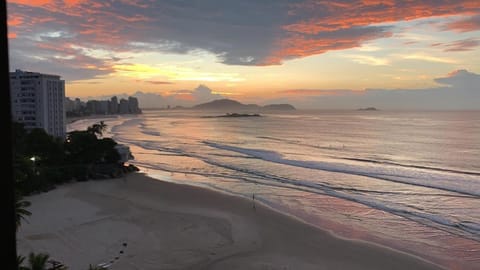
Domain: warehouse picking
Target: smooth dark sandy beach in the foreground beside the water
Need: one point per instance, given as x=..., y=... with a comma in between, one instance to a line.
x=172, y=226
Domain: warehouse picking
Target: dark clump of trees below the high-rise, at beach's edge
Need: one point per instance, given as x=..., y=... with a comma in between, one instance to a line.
x=42, y=161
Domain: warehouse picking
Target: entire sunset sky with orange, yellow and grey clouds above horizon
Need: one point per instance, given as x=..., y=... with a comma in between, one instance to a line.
x=310, y=53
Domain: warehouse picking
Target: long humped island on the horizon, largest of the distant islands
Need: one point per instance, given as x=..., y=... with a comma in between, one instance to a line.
x=229, y=104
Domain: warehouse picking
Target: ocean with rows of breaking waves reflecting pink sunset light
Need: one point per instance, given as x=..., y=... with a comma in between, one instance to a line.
x=406, y=180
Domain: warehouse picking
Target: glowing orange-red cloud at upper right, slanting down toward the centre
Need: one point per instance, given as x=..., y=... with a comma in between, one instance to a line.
x=338, y=25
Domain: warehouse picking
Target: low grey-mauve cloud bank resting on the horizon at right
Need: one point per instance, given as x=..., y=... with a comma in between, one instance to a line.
x=459, y=90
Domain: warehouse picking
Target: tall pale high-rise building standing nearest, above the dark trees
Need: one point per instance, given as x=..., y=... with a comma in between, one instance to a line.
x=38, y=101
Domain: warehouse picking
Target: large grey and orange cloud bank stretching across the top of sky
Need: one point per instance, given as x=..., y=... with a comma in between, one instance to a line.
x=247, y=32
